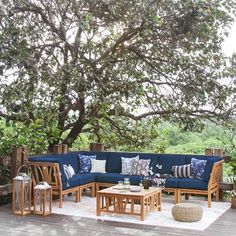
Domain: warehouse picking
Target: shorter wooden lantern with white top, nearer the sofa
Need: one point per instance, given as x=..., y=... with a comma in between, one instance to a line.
x=42, y=200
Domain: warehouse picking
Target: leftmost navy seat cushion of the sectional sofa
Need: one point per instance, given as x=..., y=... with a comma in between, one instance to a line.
x=79, y=179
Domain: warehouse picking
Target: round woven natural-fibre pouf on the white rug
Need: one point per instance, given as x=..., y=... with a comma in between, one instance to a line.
x=187, y=212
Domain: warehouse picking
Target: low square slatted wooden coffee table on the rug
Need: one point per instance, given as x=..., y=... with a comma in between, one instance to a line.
x=114, y=200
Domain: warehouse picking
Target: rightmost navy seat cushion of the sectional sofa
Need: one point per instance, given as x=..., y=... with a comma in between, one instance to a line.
x=192, y=184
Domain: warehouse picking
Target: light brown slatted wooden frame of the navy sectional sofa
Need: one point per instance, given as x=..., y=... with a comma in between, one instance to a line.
x=50, y=172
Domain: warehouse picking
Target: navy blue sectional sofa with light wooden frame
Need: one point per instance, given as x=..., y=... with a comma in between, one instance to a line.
x=50, y=168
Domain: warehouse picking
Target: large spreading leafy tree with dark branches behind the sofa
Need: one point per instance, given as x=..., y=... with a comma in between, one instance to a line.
x=71, y=63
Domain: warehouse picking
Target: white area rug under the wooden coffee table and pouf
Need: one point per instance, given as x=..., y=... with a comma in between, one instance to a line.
x=87, y=208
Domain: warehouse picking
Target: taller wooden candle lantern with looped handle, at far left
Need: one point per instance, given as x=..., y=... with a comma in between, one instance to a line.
x=21, y=191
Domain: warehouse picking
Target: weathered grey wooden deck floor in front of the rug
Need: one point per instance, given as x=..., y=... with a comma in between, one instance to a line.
x=65, y=225
